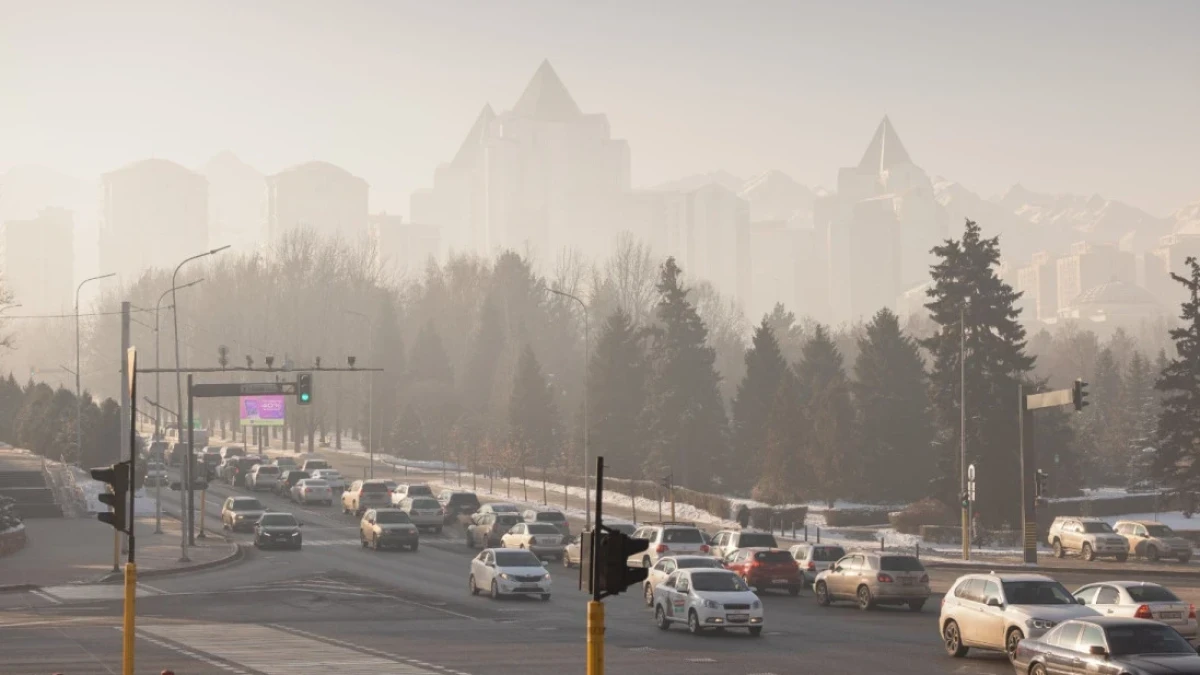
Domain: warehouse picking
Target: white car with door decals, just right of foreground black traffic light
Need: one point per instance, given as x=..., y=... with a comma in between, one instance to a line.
x=707, y=599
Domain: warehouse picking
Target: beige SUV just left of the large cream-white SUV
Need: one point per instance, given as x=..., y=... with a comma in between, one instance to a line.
x=873, y=580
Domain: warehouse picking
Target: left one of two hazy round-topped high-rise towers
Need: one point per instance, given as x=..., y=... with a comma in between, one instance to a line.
x=155, y=214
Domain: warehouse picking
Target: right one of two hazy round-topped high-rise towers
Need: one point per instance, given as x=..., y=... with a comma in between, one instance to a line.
x=317, y=196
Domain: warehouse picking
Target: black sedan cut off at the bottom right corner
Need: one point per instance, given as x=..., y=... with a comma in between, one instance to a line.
x=1108, y=646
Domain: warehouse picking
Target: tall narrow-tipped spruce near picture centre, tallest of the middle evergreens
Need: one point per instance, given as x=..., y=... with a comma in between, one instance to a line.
x=686, y=417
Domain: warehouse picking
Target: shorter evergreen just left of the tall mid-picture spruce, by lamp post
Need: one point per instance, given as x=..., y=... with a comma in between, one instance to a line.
x=617, y=396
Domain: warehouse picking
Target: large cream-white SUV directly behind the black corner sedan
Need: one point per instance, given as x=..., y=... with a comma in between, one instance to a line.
x=997, y=612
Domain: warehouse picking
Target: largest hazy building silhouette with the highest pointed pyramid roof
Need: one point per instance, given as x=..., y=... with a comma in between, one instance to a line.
x=542, y=176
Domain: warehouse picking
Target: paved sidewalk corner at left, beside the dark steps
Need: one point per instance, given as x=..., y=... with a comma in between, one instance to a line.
x=81, y=549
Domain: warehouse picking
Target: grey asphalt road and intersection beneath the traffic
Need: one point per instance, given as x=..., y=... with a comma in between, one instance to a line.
x=335, y=607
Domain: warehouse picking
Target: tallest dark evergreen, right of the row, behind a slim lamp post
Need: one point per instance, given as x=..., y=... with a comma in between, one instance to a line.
x=965, y=288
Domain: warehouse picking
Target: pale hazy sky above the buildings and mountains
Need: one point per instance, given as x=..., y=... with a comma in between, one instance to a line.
x=1089, y=97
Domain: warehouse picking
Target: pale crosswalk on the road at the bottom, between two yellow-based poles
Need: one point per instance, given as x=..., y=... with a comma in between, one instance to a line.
x=275, y=652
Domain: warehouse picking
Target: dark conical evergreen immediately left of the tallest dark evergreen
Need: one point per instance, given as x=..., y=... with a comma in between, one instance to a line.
x=895, y=419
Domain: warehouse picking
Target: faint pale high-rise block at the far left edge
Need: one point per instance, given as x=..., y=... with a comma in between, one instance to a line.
x=40, y=262
